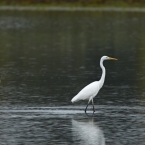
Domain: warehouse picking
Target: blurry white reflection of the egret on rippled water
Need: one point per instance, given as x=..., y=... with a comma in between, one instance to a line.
x=86, y=132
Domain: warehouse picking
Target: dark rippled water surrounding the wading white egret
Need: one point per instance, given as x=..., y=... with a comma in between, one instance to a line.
x=48, y=57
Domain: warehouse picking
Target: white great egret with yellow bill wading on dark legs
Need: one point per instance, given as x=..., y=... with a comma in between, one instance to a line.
x=91, y=90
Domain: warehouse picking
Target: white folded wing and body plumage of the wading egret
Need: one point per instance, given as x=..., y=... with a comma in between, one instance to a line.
x=90, y=90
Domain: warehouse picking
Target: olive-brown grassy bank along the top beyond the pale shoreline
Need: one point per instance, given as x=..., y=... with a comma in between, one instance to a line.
x=75, y=3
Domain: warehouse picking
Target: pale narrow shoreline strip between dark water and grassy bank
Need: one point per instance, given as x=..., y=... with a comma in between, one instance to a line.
x=67, y=8
